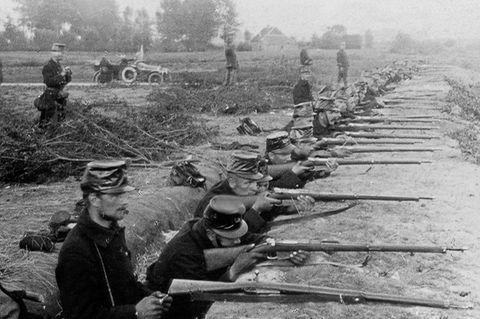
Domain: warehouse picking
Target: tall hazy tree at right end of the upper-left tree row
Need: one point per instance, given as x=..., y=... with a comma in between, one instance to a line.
x=188, y=23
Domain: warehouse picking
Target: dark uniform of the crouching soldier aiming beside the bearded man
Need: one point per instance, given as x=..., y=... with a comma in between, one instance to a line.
x=183, y=258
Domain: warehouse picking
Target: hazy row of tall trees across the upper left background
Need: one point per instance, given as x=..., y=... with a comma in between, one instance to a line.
x=179, y=25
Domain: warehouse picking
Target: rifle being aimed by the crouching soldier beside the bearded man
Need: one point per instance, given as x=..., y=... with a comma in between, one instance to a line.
x=217, y=258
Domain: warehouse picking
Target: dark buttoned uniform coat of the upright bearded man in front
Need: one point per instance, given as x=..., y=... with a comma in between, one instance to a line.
x=80, y=278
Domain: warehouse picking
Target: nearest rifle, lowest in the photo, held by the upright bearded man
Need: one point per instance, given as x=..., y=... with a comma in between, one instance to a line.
x=290, y=293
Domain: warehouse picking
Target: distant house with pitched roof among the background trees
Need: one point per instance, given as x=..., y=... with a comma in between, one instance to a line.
x=272, y=39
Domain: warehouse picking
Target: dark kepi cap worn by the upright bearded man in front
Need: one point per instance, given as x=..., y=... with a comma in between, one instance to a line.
x=106, y=177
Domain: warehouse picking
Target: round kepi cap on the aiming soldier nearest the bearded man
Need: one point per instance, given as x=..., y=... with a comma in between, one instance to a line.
x=224, y=216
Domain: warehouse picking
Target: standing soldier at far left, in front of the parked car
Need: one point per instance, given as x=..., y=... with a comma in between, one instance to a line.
x=55, y=77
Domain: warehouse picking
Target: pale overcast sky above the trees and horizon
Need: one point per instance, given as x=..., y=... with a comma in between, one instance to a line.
x=301, y=18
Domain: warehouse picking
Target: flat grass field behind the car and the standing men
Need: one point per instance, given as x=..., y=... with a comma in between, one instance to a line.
x=26, y=66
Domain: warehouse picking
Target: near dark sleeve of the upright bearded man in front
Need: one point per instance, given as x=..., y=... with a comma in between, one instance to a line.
x=80, y=290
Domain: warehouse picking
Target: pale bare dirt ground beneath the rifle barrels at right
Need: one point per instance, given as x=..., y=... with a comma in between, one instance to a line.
x=450, y=219
